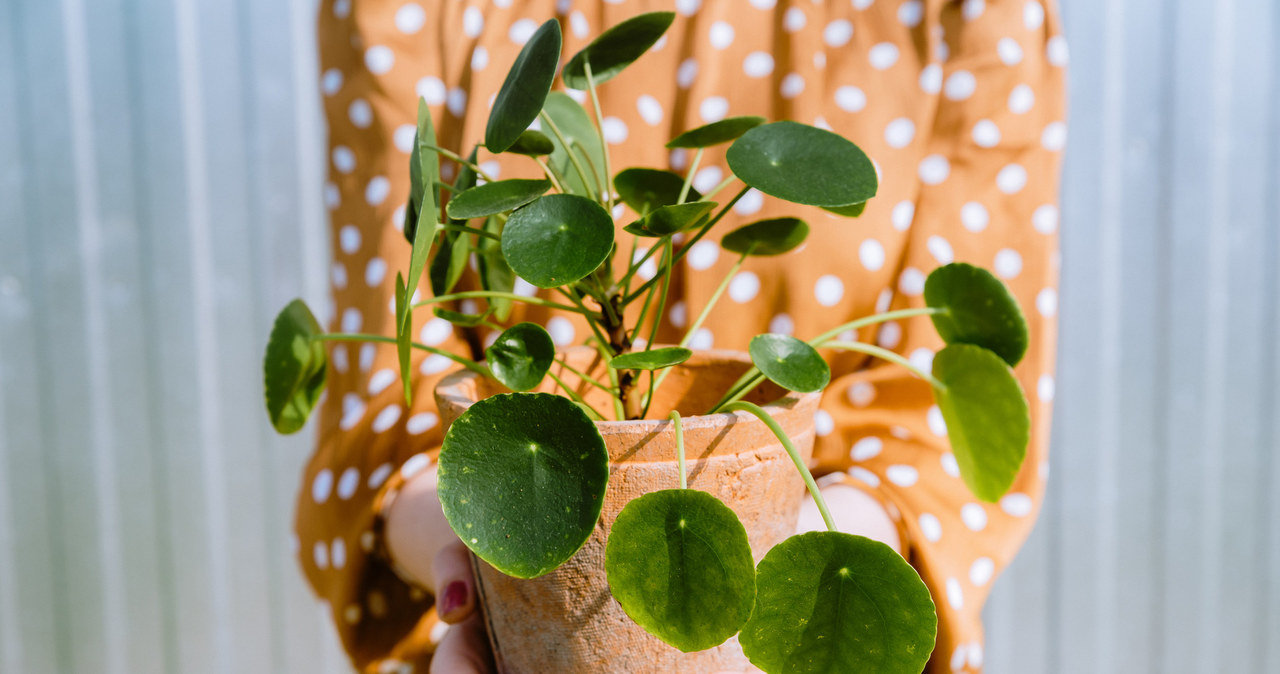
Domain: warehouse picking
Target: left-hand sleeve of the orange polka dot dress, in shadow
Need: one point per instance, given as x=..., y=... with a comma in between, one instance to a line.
x=369, y=442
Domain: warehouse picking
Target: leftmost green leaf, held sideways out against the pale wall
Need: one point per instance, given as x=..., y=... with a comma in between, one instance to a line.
x=294, y=368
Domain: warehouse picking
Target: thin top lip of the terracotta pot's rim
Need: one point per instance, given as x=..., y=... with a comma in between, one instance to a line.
x=454, y=388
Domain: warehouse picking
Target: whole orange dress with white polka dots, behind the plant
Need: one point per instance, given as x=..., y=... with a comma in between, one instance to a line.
x=959, y=104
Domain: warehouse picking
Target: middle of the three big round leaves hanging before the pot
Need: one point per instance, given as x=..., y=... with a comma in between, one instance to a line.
x=680, y=565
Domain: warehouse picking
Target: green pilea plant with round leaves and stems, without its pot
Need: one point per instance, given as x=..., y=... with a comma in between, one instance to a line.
x=523, y=475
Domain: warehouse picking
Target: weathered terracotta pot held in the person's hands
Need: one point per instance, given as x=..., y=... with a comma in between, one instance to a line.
x=568, y=621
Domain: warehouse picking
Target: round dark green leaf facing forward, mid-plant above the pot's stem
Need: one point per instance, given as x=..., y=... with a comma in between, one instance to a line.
x=557, y=240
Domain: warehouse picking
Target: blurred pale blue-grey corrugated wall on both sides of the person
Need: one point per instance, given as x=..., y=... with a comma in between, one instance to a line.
x=162, y=166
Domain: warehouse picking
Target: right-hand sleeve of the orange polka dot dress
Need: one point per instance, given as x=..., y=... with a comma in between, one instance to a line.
x=989, y=198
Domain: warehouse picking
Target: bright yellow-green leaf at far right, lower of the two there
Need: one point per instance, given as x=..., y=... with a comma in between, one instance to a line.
x=988, y=419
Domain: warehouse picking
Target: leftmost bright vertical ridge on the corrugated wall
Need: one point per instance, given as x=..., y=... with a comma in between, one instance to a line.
x=103, y=432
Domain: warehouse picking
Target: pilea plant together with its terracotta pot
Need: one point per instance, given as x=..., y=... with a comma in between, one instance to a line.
x=569, y=474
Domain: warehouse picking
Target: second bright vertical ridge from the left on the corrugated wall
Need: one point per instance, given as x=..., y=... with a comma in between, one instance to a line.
x=204, y=310
